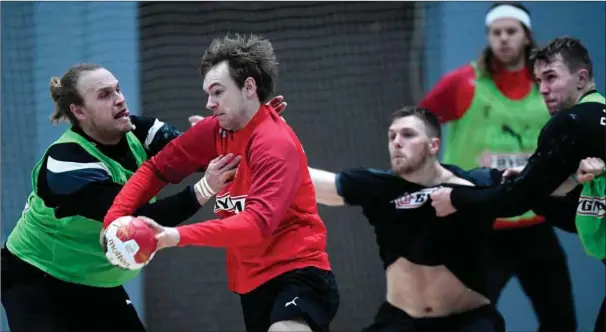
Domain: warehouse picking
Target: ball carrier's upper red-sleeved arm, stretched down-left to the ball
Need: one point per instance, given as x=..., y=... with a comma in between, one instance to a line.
x=178, y=159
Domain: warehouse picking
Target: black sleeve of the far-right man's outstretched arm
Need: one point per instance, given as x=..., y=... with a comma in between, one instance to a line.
x=559, y=152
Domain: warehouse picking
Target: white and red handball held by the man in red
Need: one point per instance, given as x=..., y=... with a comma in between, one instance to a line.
x=130, y=243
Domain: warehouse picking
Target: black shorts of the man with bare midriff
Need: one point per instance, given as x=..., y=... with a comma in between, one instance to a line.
x=392, y=319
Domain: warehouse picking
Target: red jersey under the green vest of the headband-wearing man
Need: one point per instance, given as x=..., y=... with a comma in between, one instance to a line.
x=452, y=97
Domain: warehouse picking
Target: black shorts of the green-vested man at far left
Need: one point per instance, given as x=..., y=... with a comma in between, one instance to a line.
x=36, y=301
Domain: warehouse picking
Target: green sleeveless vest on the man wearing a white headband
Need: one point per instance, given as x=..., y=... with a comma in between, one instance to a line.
x=496, y=131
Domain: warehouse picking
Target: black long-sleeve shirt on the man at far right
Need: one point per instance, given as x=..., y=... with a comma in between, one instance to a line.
x=569, y=137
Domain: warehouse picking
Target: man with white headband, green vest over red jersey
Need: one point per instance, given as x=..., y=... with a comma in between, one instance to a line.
x=495, y=114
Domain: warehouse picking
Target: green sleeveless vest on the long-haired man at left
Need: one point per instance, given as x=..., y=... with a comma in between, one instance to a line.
x=68, y=248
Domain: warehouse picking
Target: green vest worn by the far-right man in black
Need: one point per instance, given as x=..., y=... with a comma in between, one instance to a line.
x=591, y=211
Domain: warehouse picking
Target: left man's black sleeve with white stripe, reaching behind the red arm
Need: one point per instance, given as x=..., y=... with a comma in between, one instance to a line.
x=75, y=183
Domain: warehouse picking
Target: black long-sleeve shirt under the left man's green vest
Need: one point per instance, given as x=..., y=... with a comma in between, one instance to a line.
x=71, y=181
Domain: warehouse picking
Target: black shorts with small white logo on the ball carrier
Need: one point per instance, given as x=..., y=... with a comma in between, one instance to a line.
x=307, y=294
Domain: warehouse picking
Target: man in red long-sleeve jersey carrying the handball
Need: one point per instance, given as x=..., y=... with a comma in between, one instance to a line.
x=268, y=218
